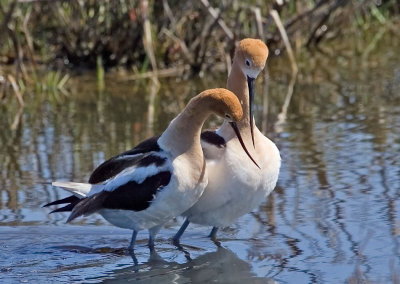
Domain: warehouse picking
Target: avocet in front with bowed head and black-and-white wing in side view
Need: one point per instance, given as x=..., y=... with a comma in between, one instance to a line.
x=158, y=179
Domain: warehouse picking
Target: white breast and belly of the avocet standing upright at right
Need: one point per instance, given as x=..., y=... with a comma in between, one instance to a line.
x=236, y=186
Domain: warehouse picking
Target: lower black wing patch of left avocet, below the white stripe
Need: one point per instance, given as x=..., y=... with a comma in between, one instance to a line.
x=130, y=196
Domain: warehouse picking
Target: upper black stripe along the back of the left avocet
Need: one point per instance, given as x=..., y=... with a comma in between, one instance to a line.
x=116, y=164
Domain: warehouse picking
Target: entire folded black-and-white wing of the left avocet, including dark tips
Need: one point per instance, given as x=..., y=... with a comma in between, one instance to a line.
x=128, y=181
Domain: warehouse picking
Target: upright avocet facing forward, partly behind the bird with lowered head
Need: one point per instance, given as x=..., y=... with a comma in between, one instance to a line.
x=226, y=199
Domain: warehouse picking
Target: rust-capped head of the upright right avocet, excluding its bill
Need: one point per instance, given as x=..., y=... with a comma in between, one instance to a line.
x=251, y=55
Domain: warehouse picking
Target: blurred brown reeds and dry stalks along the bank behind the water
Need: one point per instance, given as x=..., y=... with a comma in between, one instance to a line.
x=43, y=43
